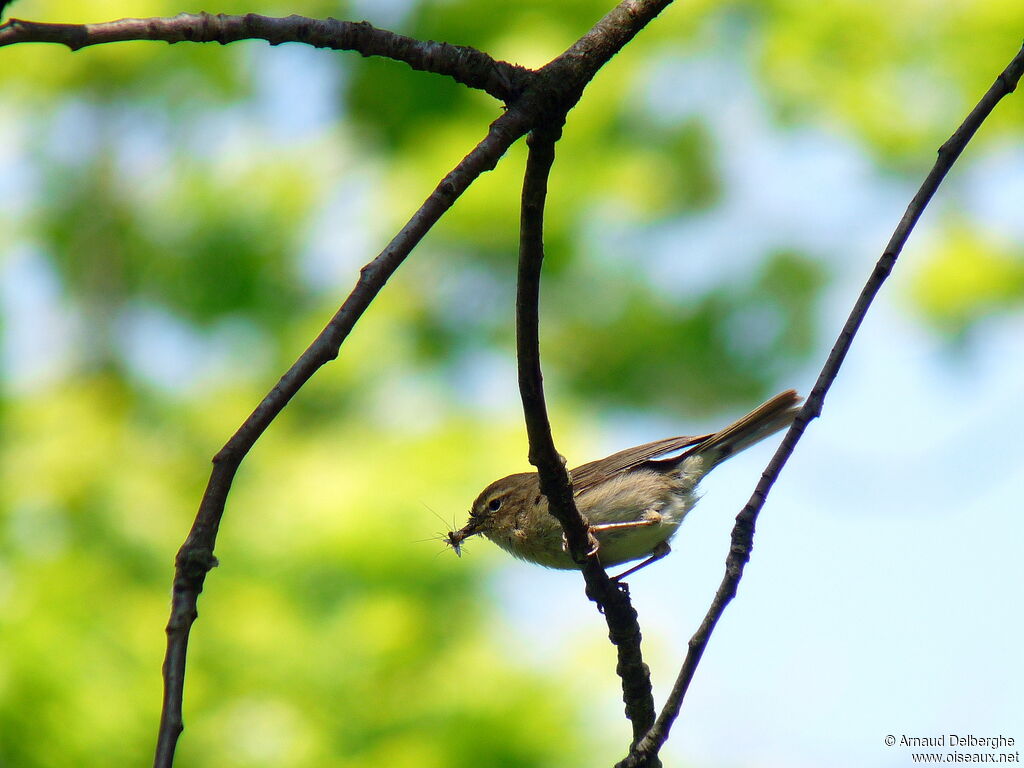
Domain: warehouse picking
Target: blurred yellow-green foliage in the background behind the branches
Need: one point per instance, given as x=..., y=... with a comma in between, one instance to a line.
x=156, y=185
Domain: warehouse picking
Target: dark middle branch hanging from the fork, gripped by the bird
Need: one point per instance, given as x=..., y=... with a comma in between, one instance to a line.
x=624, y=630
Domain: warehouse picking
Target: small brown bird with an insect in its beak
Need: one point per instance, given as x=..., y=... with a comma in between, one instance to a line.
x=633, y=500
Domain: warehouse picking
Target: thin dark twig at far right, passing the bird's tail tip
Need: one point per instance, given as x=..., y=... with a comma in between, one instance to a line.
x=743, y=533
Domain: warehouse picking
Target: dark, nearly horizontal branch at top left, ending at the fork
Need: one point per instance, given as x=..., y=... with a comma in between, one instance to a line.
x=465, y=65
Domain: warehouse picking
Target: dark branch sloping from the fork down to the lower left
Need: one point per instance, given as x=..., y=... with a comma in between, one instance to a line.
x=196, y=557
